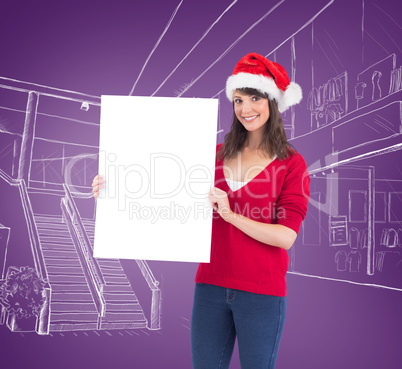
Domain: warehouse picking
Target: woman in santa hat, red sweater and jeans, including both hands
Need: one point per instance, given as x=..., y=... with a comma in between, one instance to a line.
x=259, y=198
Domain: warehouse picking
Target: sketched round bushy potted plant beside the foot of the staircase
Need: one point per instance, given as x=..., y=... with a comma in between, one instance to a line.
x=21, y=296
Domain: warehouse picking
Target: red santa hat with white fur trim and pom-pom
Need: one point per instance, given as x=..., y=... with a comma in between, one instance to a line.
x=256, y=71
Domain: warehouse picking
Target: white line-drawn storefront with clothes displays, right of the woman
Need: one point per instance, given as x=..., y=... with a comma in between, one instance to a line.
x=352, y=227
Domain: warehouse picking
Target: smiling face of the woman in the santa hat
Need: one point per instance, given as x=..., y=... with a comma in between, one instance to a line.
x=252, y=111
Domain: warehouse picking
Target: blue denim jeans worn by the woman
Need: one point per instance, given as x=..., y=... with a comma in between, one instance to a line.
x=222, y=314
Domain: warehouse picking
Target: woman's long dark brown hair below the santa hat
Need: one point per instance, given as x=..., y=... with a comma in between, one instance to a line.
x=274, y=140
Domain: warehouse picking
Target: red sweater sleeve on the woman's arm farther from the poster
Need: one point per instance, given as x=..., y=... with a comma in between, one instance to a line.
x=291, y=205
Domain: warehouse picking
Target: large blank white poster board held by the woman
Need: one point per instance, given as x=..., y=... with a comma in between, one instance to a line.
x=157, y=155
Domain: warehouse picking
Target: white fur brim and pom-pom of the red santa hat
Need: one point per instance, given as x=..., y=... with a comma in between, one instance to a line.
x=285, y=99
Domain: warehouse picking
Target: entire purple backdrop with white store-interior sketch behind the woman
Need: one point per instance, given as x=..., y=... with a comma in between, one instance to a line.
x=345, y=275
